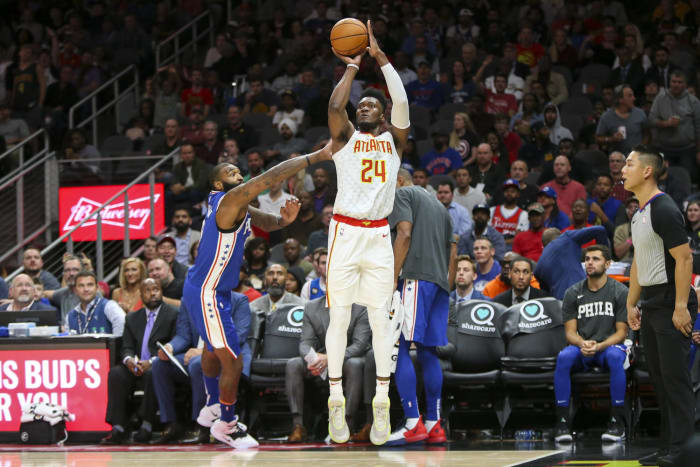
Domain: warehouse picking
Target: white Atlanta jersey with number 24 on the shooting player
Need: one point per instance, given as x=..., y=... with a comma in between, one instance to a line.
x=367, y=167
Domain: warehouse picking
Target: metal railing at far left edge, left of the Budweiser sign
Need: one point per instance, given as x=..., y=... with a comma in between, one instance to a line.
x=34, y=172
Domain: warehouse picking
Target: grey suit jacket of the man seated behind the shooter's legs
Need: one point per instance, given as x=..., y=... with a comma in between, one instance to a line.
x=316, y=320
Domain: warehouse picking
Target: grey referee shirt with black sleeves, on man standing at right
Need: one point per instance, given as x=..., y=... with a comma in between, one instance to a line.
x=656, y=228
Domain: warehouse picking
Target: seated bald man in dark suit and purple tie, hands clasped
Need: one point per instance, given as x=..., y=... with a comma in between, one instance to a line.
x=155, y=322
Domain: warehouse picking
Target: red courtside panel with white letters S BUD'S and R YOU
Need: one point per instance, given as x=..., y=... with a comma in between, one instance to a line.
x=75, y=379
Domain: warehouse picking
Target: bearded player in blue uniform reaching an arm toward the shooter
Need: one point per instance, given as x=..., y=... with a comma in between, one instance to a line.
x=208, y=286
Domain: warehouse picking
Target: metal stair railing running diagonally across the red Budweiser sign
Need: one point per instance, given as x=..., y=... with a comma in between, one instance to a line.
x=97, y=215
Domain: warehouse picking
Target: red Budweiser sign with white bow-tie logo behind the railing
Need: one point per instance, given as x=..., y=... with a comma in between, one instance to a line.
x=77, y=203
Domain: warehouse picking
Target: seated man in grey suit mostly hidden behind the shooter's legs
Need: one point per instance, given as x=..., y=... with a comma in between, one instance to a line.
x=313, y=338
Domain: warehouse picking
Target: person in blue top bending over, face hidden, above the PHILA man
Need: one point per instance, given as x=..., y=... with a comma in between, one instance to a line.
x=559, y=267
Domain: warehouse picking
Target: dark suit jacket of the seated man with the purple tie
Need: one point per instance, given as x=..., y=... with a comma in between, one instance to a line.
x=135, y=326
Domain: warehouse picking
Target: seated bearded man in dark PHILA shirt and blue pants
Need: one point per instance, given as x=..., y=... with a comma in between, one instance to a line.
x=595, y=320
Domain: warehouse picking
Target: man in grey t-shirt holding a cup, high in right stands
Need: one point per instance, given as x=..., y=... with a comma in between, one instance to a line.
x=625, y=126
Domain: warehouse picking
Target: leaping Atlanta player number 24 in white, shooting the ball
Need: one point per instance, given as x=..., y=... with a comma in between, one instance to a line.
x=360, y=257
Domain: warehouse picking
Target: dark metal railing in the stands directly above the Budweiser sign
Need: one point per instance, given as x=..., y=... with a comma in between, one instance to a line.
x=118, y=95
